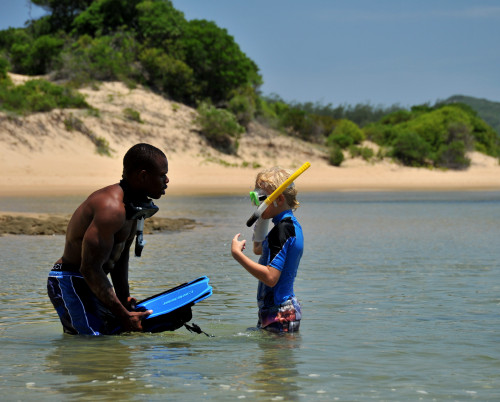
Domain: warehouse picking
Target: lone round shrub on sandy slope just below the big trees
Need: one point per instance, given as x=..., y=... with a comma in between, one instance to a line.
x=219, y=127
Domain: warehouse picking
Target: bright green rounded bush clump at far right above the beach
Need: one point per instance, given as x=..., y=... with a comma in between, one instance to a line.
x=436, y=136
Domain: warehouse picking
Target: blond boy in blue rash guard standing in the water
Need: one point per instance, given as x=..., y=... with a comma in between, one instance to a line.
x=280, y=252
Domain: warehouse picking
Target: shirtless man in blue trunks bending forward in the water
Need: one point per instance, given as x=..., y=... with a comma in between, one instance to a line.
x=98, y=240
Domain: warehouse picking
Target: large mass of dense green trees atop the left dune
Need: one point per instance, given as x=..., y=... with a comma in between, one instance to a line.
x=136, y=41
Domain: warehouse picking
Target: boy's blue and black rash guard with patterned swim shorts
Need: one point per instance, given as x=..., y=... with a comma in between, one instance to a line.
x=279, y=310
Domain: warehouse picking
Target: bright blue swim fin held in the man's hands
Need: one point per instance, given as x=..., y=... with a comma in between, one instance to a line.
x=185, y=295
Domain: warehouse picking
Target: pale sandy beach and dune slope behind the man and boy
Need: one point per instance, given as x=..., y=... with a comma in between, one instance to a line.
x=41, y=156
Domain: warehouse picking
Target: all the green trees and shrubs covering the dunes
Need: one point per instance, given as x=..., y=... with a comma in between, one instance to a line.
x=149, y=42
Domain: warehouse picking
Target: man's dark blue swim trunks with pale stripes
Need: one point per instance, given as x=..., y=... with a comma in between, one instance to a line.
x=78, y=308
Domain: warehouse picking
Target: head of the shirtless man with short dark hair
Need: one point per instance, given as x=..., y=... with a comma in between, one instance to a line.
x=145, y=168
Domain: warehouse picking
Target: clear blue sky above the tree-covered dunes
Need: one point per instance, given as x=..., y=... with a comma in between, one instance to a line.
x=355, y=51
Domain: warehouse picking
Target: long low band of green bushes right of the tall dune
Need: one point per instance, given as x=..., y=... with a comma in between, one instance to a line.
x=424, y=136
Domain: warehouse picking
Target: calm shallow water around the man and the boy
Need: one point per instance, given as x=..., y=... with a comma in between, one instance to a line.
x=400, y=295
